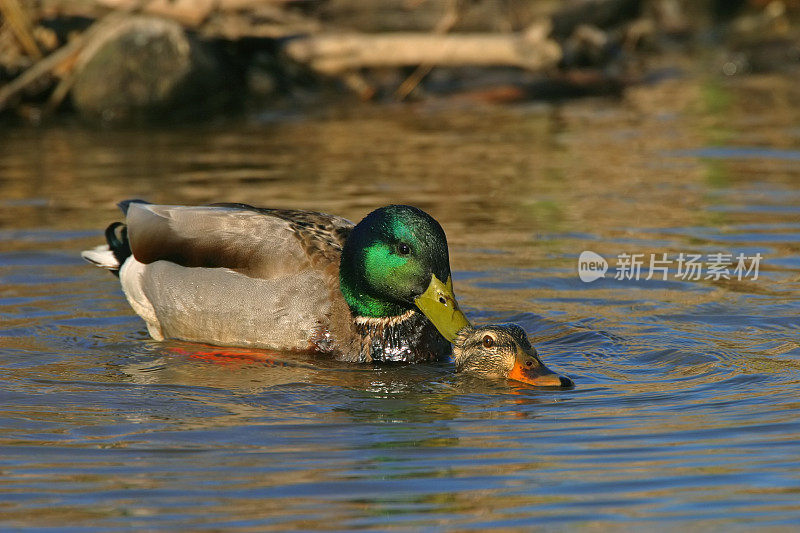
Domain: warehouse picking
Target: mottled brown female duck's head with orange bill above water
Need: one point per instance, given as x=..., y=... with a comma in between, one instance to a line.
x=503, y=351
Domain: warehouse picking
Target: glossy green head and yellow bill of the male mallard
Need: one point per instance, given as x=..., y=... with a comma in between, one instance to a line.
x=396, y=259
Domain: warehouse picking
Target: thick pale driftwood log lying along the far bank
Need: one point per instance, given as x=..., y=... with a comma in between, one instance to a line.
x=338, y=53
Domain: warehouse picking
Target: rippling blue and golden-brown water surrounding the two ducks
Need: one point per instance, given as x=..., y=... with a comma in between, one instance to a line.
x=685, y=411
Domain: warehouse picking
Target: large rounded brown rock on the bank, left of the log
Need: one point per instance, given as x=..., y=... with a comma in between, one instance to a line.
x=144, y=68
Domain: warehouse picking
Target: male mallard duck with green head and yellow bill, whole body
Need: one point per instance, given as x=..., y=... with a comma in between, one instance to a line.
x=237, y=275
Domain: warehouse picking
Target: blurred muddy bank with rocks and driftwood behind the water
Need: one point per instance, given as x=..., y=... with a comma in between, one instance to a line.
x=121, y=61
